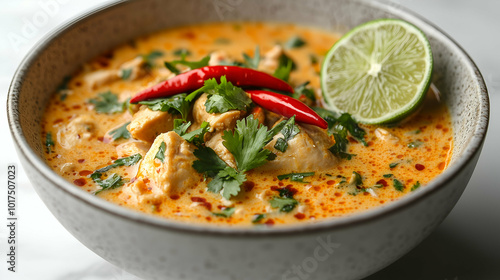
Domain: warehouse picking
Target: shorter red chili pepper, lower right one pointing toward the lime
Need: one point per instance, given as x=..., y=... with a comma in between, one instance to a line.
x=287, y=106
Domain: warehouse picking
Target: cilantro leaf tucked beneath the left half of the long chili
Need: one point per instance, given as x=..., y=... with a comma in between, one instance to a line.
x=176, y=104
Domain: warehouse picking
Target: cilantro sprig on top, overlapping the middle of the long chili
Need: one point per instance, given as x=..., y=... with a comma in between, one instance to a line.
x=225, y=96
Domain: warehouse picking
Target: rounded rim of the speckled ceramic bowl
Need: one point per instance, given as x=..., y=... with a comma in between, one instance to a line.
x=471, y=150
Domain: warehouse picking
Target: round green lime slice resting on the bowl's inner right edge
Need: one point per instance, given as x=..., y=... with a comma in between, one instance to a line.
x=379, y=72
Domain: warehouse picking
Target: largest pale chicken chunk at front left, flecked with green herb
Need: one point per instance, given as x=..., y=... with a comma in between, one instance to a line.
x=157, y=179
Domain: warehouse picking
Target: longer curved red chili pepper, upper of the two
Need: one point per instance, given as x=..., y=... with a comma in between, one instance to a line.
x=195, y=79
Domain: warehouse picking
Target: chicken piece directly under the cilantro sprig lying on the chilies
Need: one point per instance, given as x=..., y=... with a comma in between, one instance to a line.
x=217, y=122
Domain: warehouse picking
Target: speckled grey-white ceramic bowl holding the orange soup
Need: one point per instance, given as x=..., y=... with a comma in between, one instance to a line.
x=349, y=247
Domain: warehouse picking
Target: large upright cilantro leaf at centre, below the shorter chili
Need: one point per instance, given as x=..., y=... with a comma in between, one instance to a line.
x=247, y=143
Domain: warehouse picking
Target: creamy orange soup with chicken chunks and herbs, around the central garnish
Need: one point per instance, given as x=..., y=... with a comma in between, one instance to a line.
x=128, y=154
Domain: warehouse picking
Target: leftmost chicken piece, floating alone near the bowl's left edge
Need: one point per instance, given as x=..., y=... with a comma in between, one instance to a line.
x=79, y=128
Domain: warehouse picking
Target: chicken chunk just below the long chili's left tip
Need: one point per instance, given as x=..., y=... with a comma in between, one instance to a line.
x=147, y=124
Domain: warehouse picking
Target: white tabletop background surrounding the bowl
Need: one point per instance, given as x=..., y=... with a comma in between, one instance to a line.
x=465, y=246
